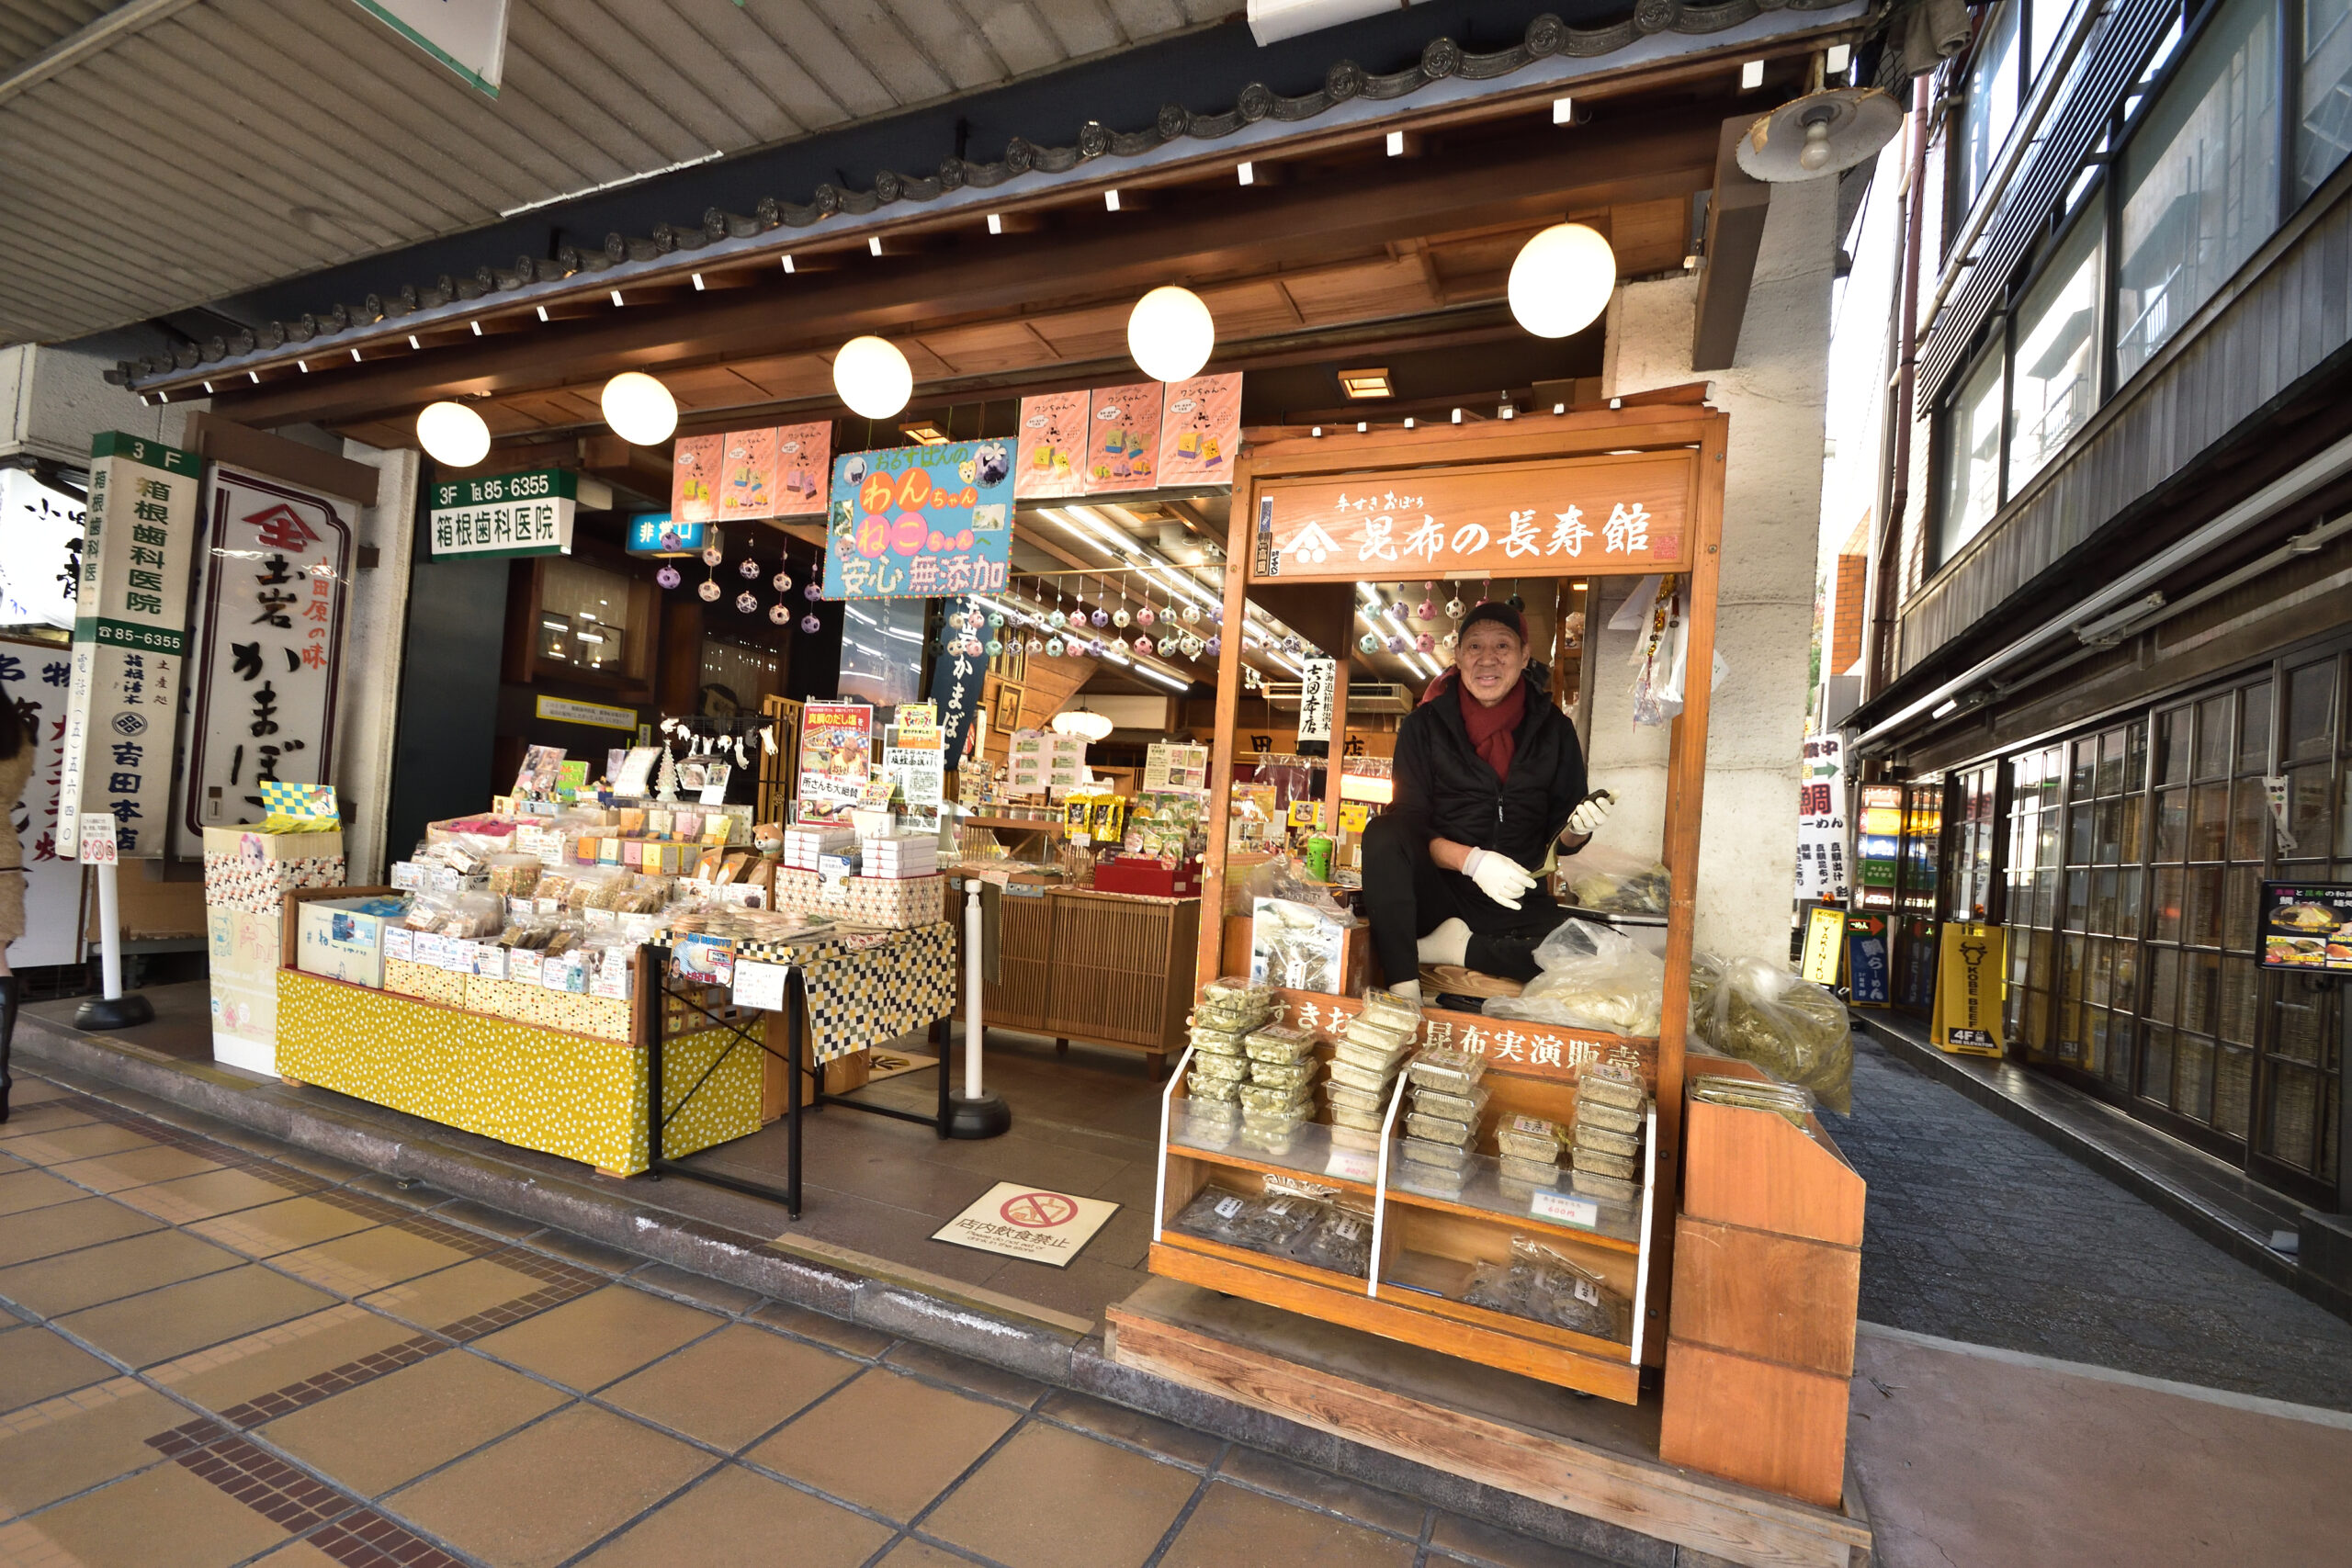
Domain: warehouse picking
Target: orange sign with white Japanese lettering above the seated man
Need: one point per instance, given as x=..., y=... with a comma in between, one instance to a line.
x=1582, y=516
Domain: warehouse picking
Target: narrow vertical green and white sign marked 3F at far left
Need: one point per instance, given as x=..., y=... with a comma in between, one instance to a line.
x=131, y=631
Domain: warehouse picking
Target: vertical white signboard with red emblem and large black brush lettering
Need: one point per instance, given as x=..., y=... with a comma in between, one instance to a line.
x=269, y=648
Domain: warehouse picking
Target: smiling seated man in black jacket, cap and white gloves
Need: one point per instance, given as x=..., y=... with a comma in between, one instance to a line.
x=1490, y=779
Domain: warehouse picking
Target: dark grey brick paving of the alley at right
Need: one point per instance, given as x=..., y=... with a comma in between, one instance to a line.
x=1984, y=1233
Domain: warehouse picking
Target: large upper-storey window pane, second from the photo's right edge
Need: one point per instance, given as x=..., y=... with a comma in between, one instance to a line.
x=2200, y=185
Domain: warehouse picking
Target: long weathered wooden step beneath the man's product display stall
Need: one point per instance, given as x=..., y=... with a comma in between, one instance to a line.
x=1586, y=1456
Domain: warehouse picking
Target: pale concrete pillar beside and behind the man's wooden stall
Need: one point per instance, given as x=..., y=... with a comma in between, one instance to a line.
x=1775, y=394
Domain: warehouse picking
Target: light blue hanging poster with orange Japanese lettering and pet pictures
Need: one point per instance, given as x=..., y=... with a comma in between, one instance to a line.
x=921, y=521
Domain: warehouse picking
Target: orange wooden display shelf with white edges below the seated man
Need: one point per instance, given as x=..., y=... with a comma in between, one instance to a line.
x=1426, y=1247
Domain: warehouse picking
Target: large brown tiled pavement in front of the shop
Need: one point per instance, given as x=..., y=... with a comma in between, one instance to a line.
x=253, y=1355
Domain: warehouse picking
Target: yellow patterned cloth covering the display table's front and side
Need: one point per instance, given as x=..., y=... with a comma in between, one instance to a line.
x=516, y=1083
